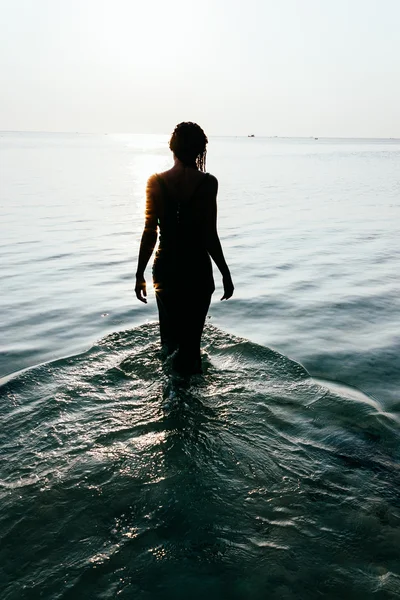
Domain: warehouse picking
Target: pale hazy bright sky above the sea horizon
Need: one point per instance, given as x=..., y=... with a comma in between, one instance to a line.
x=269, y=67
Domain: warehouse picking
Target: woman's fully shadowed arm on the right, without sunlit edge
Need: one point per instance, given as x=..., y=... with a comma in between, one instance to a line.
x=213, y=243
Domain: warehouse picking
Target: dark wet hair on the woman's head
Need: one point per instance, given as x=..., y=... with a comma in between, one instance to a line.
x=189, y=143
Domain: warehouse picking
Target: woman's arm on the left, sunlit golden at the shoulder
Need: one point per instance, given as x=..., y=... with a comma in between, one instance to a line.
x=148, y=241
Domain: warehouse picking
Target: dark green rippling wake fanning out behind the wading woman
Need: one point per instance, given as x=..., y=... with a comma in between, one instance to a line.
x=251, y=481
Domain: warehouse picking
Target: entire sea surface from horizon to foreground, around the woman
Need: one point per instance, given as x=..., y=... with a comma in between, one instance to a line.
x=275, y=474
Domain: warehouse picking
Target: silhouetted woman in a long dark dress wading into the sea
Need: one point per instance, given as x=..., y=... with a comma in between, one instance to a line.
x=182, y=203
